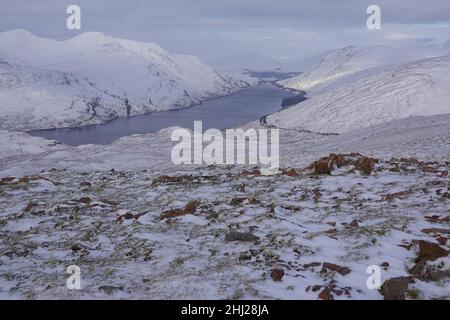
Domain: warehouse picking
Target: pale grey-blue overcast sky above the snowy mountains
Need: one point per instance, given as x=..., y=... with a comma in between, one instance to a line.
x=217, y=28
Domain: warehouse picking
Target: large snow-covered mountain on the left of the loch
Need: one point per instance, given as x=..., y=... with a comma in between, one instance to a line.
x=94, y=78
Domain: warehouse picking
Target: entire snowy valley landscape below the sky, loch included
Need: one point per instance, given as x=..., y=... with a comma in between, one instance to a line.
x=87, y=178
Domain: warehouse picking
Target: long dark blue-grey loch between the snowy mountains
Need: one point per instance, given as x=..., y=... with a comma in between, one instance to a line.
x=225, y=112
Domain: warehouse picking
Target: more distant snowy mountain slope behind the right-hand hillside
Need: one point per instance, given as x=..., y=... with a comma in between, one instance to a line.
x=350, y=60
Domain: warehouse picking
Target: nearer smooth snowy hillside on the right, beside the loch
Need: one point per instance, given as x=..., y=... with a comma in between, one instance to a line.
x=418, y=88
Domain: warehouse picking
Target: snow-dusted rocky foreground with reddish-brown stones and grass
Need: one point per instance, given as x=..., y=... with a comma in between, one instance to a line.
x=230, y=232
